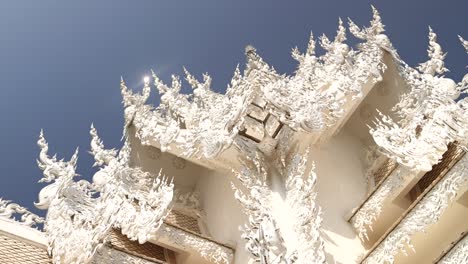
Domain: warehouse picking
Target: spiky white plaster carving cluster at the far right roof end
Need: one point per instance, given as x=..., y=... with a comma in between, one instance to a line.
x=430, y=117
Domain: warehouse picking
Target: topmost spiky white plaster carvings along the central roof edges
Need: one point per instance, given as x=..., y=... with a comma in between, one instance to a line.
x=205, y=123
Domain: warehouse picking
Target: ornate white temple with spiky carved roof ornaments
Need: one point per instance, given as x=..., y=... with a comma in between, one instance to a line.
x=355, y=158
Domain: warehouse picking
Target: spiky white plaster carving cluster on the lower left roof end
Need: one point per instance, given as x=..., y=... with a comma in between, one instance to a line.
x=80, y=214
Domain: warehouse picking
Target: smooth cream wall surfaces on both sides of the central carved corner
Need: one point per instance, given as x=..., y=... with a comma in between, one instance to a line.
x=341, y=187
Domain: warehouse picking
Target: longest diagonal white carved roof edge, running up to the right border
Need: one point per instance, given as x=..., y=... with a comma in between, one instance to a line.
x=427, y=212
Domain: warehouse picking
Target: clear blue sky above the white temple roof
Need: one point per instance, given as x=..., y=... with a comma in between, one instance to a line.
x=61, y=61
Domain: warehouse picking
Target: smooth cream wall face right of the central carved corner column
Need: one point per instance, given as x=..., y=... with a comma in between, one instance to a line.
x=341, y=187
